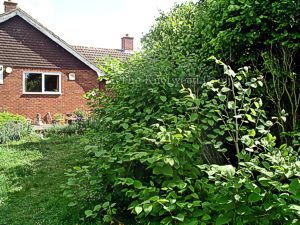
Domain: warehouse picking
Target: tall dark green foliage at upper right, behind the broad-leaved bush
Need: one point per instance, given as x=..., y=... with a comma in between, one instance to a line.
x=239, y=32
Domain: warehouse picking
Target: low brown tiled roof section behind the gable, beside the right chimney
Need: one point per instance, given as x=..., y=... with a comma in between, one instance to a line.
x=97, y=55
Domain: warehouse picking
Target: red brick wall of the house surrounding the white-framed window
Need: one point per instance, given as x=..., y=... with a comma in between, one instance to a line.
x=13, y=99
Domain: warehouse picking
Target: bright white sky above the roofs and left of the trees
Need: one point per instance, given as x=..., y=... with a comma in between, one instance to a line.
x=97, y=23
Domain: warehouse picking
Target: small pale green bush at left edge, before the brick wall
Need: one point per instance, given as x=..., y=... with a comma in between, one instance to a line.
x=13, y=127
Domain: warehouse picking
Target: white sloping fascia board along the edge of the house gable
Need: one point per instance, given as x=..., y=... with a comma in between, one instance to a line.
x=49, y=34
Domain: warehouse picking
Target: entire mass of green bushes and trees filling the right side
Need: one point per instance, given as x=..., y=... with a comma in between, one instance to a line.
x=206, y=154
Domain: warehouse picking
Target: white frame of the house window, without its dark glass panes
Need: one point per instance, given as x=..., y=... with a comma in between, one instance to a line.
x=43, y=92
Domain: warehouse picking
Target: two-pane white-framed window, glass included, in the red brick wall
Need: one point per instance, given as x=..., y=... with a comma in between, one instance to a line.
x=42, y=83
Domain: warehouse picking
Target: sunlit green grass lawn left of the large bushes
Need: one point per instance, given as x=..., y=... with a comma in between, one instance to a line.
x=31, y=173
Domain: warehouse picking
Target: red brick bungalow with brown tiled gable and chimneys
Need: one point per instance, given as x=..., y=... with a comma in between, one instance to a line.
x=39, y=72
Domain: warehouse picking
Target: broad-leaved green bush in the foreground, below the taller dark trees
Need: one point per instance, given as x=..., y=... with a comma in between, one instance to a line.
x=148, y=168
